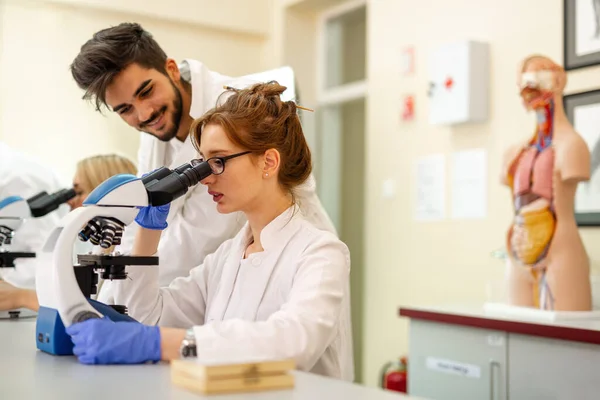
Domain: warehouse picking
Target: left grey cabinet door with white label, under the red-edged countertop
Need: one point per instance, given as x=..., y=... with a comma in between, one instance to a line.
x=450, y=362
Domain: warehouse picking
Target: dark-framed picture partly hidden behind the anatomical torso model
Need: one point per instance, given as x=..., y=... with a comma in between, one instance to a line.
x=583, y=110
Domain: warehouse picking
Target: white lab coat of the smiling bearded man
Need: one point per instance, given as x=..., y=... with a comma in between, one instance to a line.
x=196, y=228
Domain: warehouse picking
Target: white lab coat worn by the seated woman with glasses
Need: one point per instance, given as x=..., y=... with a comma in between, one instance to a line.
x=291, y=300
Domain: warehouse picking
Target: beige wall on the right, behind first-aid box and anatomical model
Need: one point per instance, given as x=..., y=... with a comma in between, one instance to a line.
x=423, y=263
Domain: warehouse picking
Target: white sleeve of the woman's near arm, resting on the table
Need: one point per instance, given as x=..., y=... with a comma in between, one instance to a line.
x=304, y=326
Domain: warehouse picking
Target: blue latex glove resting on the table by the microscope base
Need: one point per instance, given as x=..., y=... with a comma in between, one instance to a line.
x=102, y=341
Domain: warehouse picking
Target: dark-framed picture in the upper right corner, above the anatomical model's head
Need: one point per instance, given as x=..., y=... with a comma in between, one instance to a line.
x=581, y=33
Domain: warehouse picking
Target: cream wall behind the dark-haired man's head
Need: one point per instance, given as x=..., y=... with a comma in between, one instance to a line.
x=39, y=99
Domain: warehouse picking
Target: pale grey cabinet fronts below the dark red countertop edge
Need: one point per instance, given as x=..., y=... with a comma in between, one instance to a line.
x=454, y=362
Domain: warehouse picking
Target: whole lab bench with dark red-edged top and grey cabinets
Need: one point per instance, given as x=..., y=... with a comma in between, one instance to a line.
x=465, y=353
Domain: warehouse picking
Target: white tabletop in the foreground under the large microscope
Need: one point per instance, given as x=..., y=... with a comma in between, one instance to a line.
x=27, y=373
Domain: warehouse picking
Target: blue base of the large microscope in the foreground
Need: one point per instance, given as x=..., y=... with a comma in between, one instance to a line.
x=51, y=335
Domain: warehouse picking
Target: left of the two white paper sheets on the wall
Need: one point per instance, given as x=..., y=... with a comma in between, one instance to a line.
x=430, y=202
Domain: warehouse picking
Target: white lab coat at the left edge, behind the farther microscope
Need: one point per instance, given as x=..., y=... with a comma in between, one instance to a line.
x=21, y=175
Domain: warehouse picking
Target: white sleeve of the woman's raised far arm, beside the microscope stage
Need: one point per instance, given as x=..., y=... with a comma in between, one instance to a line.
x=181, y=305
